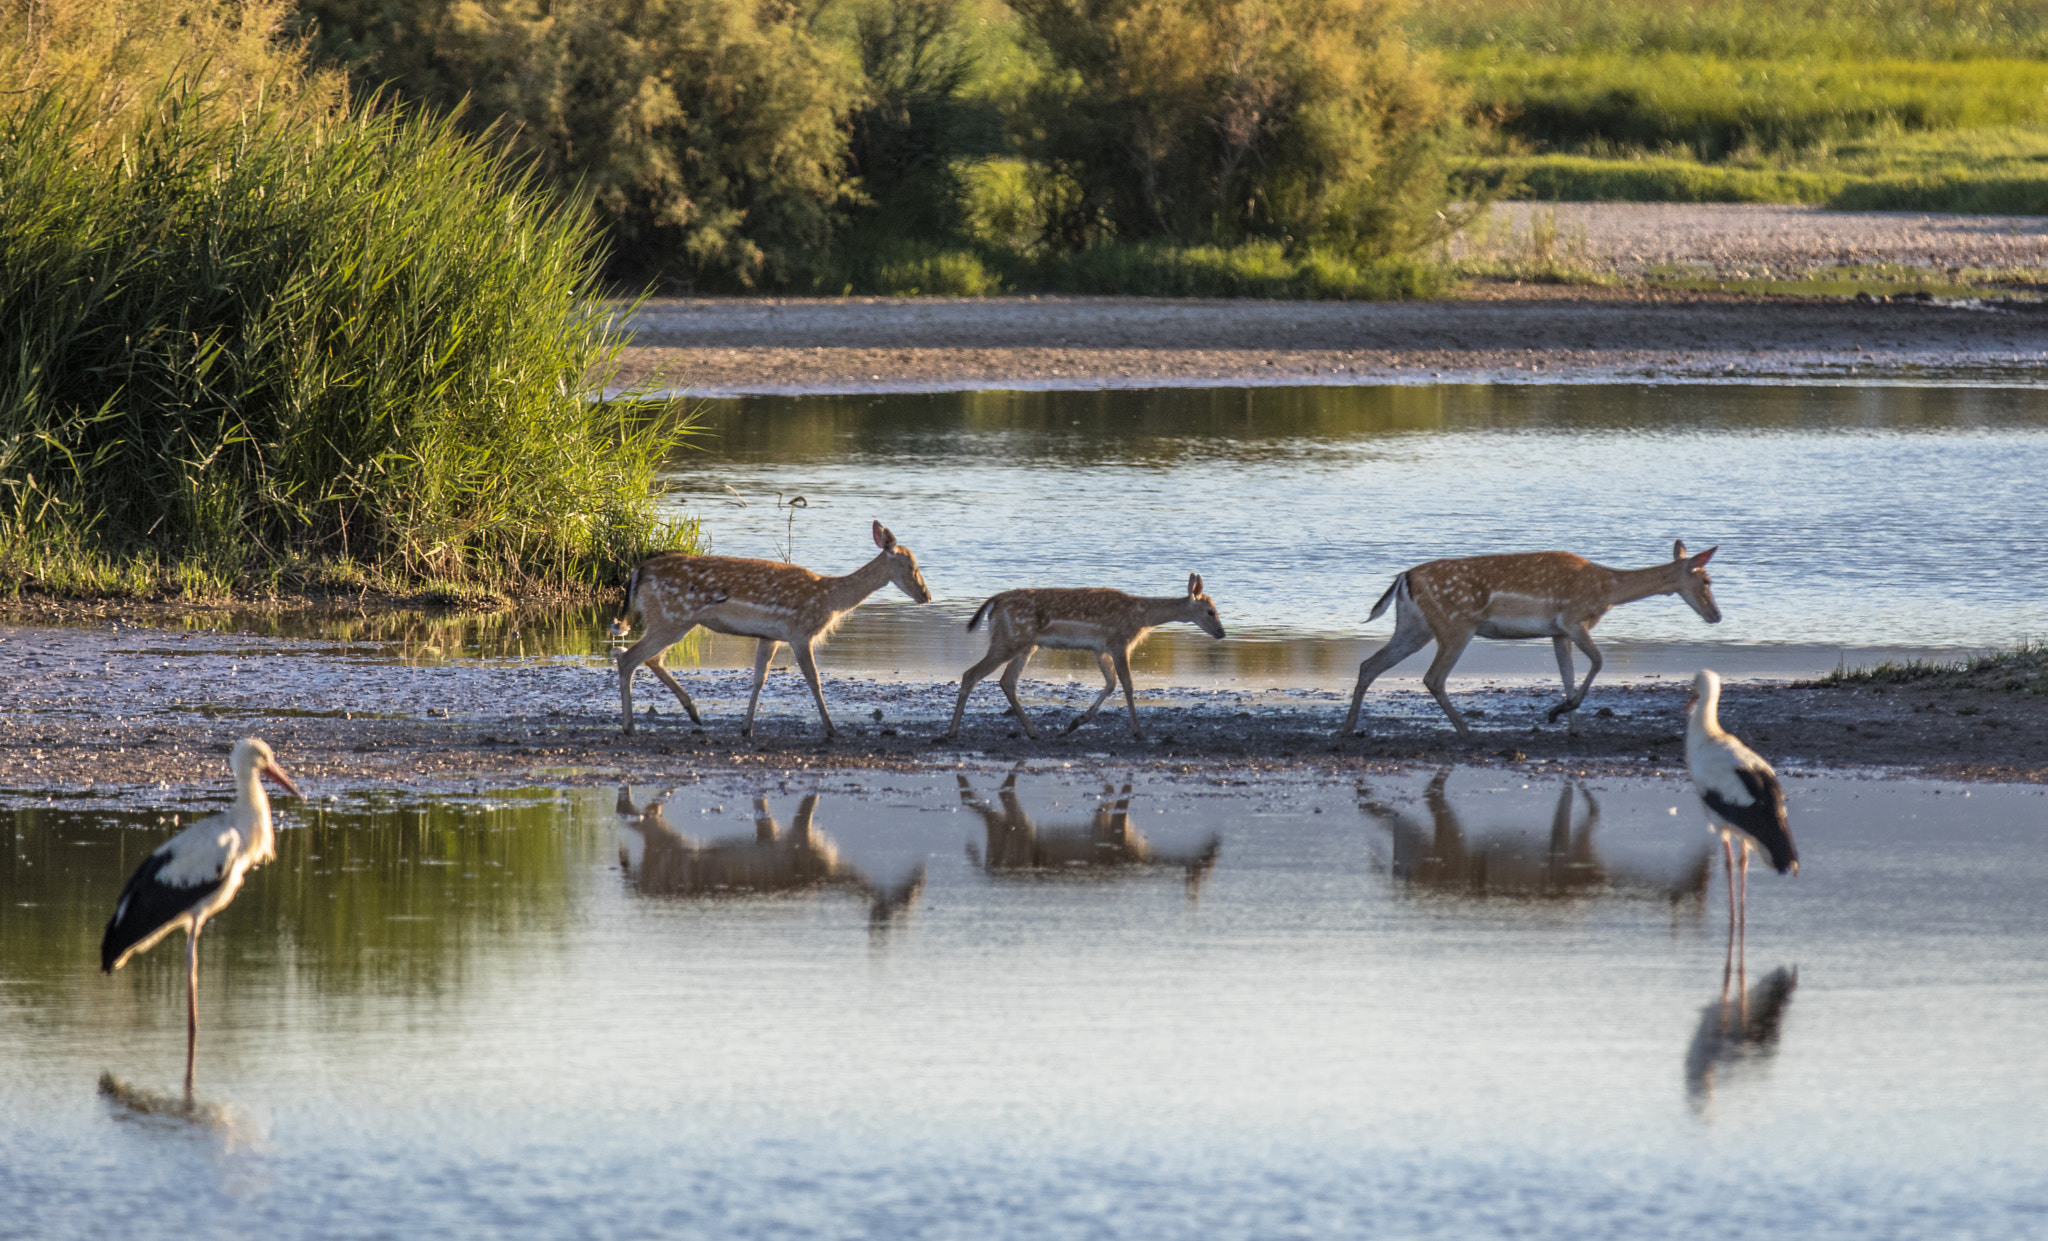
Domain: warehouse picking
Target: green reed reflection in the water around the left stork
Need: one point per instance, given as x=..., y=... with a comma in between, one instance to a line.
x=388, y=896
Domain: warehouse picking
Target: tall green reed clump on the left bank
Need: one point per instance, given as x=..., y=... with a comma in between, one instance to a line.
x=267, y=353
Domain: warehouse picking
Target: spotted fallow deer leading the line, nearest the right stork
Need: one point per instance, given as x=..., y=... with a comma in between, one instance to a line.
x=1506, y=597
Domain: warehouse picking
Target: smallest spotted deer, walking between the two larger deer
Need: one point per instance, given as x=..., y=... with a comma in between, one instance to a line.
x=1109, y=624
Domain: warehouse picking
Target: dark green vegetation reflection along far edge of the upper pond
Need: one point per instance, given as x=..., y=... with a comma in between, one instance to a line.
x=1183, y=425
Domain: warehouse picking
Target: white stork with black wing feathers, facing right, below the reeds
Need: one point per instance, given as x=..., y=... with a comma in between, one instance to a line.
x=196, y=875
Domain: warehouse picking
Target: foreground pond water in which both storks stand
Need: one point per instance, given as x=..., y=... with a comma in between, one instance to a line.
x=1019, y=1004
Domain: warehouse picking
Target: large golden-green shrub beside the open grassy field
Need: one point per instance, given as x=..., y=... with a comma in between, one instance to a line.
x=1226, y=120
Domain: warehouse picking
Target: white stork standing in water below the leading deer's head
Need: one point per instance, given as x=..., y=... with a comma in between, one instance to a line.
x=1742, y=794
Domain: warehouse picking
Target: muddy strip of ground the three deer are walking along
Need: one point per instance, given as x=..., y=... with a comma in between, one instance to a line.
x=138, y=716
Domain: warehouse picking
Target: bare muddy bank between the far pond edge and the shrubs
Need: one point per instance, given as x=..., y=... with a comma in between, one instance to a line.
x=1496, y=335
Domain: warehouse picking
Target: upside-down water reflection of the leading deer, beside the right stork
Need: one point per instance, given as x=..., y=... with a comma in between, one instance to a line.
x=1443, y=855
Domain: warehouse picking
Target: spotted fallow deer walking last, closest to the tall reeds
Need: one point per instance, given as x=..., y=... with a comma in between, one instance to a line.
x=767, y=601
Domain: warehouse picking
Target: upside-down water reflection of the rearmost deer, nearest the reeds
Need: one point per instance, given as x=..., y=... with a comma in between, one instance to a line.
x=669, y=863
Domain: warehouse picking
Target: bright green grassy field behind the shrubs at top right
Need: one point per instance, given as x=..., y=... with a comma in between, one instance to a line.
x=1867, y=105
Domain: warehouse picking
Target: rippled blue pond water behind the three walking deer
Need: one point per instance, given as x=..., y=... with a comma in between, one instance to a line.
x=1854, y=523
